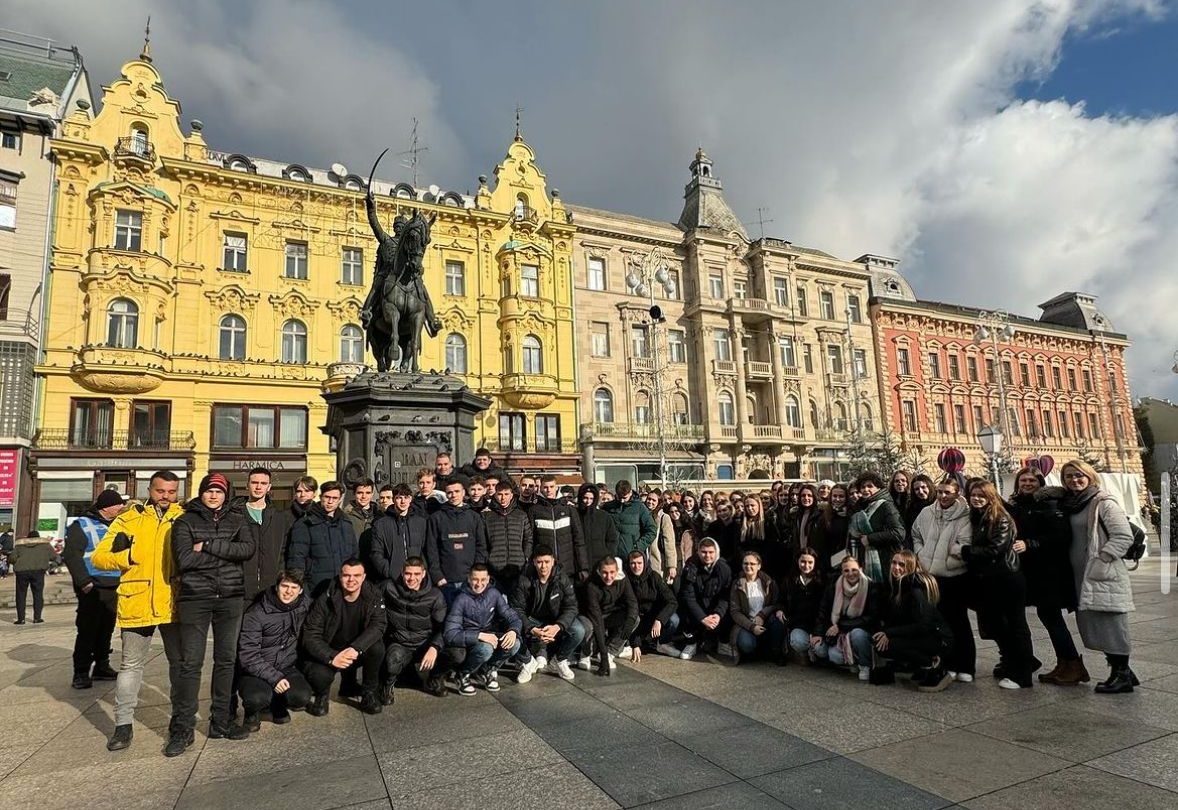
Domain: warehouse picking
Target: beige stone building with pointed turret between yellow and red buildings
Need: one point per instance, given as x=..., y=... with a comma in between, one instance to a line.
x=758, y=369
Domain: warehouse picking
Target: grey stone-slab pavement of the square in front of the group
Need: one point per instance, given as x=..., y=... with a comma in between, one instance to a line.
x=666, y=733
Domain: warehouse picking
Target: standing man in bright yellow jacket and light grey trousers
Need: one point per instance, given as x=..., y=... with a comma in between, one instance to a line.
x=140, y=547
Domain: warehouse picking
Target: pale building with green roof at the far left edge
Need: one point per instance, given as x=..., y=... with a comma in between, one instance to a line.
x=39, y=84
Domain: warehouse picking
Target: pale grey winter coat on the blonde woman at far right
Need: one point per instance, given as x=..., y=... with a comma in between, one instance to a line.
x=1103, y=585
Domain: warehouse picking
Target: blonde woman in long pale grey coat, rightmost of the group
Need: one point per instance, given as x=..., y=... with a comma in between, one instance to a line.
x=1101, y=536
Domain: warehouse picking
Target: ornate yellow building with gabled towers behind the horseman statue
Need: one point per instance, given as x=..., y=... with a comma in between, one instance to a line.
x=201, y=302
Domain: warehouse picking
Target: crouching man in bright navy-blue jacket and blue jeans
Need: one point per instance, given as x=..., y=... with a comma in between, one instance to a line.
x=484, y=630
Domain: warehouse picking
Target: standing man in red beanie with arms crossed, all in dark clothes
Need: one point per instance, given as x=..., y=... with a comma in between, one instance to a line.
x=210, y=543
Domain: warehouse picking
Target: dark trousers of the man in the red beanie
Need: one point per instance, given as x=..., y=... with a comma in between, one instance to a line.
x=195, y=619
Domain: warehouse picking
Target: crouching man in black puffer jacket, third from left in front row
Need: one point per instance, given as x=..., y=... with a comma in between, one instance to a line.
x=415, y=622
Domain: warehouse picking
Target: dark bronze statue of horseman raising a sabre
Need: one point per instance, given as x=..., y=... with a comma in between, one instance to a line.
x=398, y=307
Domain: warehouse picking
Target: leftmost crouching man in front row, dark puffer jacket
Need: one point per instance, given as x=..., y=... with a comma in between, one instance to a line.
x=269, y=679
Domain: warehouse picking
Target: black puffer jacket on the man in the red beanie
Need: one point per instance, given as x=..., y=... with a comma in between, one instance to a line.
x=215, y=573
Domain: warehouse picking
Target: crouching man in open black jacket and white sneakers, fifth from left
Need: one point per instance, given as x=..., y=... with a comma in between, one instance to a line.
x=547, y=606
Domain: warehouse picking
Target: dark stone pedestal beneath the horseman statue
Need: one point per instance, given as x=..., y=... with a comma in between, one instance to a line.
x=387, y=427
